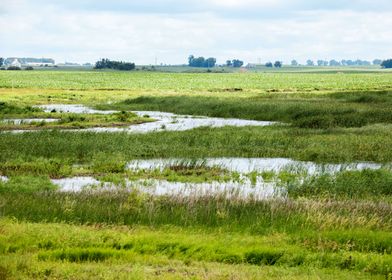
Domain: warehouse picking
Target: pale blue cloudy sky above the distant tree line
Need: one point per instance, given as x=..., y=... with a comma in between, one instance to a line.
x=170, y=30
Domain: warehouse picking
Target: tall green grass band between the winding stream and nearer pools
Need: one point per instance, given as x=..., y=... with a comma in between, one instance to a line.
x=367, y=144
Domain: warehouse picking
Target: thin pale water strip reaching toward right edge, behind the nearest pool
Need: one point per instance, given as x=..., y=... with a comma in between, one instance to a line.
x=247, y=165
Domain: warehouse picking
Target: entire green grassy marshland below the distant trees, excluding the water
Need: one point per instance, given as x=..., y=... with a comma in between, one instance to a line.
x=328, y=226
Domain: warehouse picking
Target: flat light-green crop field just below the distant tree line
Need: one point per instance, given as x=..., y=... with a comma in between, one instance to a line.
x=205, y=81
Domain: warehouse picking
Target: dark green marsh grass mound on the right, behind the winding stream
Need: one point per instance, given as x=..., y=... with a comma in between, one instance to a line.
x=327, y=111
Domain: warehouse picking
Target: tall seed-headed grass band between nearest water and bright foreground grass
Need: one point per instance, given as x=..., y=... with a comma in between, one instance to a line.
x=205, y=212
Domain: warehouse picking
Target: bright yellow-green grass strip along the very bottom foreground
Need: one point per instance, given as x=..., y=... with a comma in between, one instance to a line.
x=60, y=250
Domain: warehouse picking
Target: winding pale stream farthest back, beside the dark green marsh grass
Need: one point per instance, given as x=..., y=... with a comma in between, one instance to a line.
x=164, y=121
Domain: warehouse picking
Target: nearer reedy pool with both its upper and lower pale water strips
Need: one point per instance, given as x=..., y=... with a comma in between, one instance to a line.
x=242, y=187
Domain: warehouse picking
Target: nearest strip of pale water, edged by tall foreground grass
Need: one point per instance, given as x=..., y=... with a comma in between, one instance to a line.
x=242, y=189
